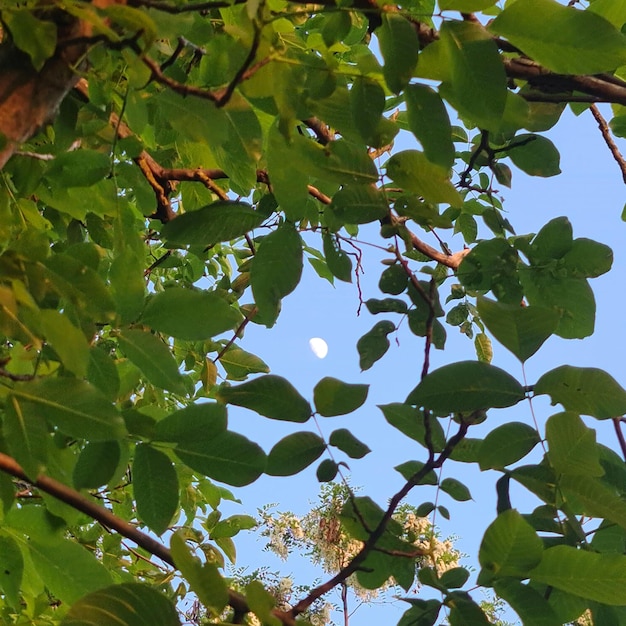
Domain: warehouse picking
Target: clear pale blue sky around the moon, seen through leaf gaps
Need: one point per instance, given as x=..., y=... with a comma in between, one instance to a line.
x=591, y=193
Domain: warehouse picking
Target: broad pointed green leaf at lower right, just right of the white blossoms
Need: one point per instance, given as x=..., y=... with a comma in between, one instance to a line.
x=510, y=547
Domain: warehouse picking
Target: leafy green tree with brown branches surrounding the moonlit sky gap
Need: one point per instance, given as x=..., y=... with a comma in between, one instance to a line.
x=167, y=165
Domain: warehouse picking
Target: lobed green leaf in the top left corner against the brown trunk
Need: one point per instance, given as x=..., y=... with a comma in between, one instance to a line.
x=38, y=38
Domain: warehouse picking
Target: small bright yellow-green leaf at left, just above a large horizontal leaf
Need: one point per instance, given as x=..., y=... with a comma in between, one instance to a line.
x=68, y=341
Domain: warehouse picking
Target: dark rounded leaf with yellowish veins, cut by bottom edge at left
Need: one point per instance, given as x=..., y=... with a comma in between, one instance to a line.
x=129, y=604
